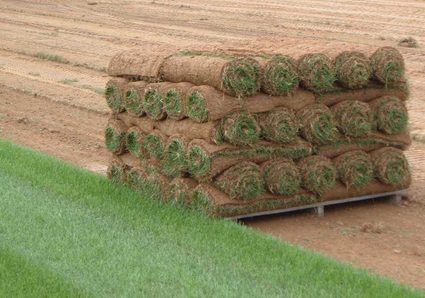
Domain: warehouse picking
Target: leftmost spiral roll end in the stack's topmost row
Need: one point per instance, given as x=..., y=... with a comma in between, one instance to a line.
x=241, y=77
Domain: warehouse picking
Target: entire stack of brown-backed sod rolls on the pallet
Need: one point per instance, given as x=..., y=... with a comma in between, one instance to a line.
x=233, y=135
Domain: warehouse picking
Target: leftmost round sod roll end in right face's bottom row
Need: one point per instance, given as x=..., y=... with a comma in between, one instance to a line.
x=242, y=181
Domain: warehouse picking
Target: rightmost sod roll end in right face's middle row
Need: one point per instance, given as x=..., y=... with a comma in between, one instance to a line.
x=390, y=114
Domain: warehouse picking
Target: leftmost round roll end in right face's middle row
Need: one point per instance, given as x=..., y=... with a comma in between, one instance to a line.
x=240, y=129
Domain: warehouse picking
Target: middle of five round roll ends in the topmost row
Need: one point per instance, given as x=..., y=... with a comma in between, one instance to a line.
x=317, y=72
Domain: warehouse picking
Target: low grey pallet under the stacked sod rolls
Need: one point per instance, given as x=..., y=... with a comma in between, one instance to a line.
x=319, y=208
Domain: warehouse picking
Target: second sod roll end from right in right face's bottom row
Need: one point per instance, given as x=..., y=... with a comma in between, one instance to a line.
x=354, y=168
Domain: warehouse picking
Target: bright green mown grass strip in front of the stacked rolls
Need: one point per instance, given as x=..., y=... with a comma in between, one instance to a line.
x=67, y=232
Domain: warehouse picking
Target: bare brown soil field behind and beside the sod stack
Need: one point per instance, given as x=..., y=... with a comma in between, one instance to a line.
x=58, y=108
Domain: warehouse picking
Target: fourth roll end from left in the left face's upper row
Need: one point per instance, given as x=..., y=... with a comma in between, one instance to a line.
x=175, y=100
